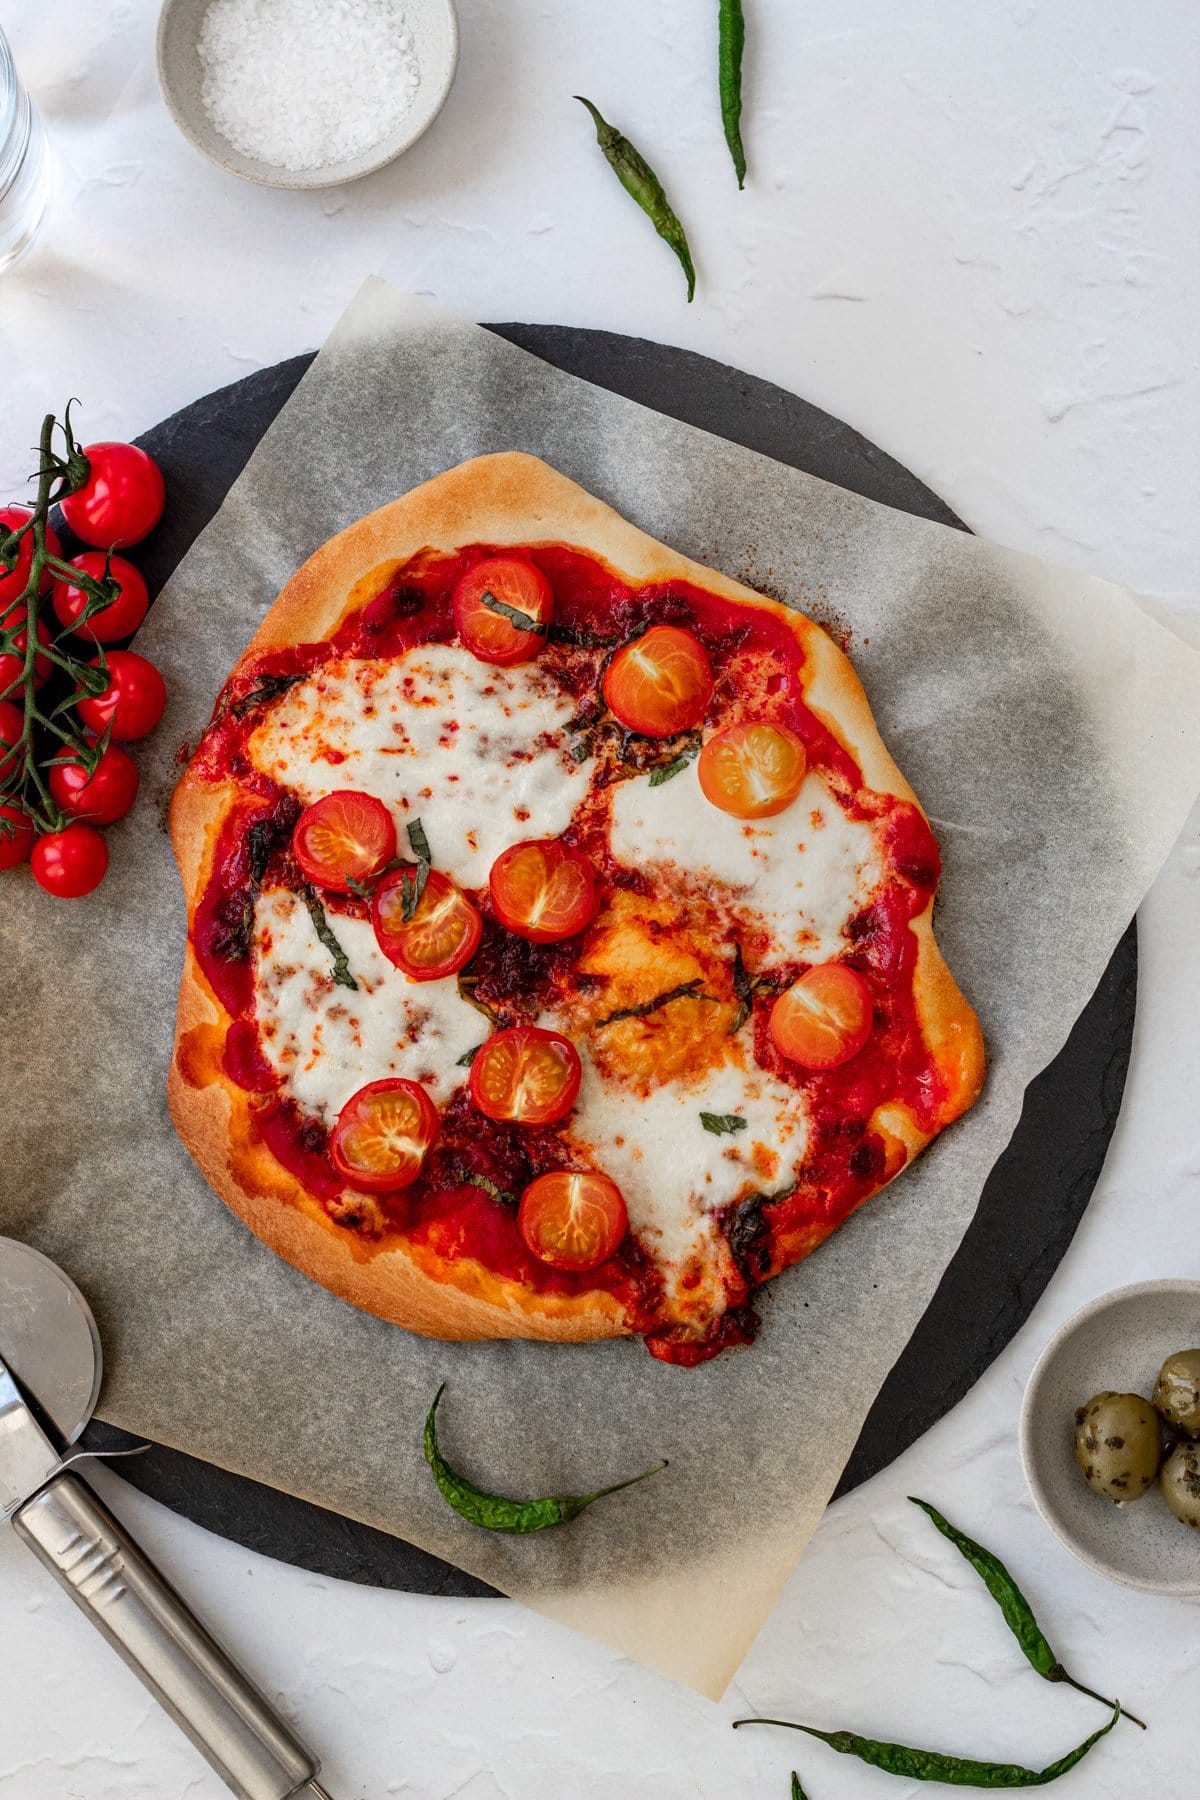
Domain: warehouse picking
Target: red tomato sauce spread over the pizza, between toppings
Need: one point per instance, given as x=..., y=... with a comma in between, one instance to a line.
x=465, y=1201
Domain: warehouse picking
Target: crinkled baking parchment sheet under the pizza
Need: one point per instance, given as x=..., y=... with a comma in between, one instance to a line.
x=1053, y=733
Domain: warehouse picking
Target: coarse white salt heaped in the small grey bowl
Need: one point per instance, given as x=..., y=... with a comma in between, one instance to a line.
x=307, y=84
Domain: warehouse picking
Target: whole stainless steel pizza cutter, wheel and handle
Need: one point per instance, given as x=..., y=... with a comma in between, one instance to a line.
x=49, y=1383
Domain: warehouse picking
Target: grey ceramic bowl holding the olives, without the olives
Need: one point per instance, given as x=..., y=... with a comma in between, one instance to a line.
x=1120, y=1344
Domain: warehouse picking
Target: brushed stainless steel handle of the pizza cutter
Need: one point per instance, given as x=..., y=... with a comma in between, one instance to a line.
x=163, y=1642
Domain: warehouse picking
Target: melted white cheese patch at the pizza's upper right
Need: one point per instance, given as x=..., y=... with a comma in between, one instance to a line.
x=805, y=872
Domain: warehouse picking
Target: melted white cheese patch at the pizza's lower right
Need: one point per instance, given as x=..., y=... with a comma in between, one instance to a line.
x=674, y=1174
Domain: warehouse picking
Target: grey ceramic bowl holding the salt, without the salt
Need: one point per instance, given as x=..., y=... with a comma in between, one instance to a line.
x=181, y=73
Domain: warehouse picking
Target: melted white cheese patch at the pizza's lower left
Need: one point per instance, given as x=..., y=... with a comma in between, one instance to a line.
x=328, y=1041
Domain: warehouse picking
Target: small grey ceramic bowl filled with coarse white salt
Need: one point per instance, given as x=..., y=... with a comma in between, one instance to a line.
x=307, y=93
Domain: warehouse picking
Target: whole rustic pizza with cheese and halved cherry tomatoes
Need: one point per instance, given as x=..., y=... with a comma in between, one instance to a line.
x=560, y=951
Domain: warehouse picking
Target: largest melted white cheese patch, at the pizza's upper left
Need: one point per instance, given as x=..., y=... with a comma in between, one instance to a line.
x=478, y=753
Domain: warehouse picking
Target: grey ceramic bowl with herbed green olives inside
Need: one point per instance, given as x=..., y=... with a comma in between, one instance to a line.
x=1111, y=1435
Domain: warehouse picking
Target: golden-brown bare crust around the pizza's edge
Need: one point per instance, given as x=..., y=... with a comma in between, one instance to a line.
x=521, y=501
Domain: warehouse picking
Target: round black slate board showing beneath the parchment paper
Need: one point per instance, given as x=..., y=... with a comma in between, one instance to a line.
x=1035, y=1194
